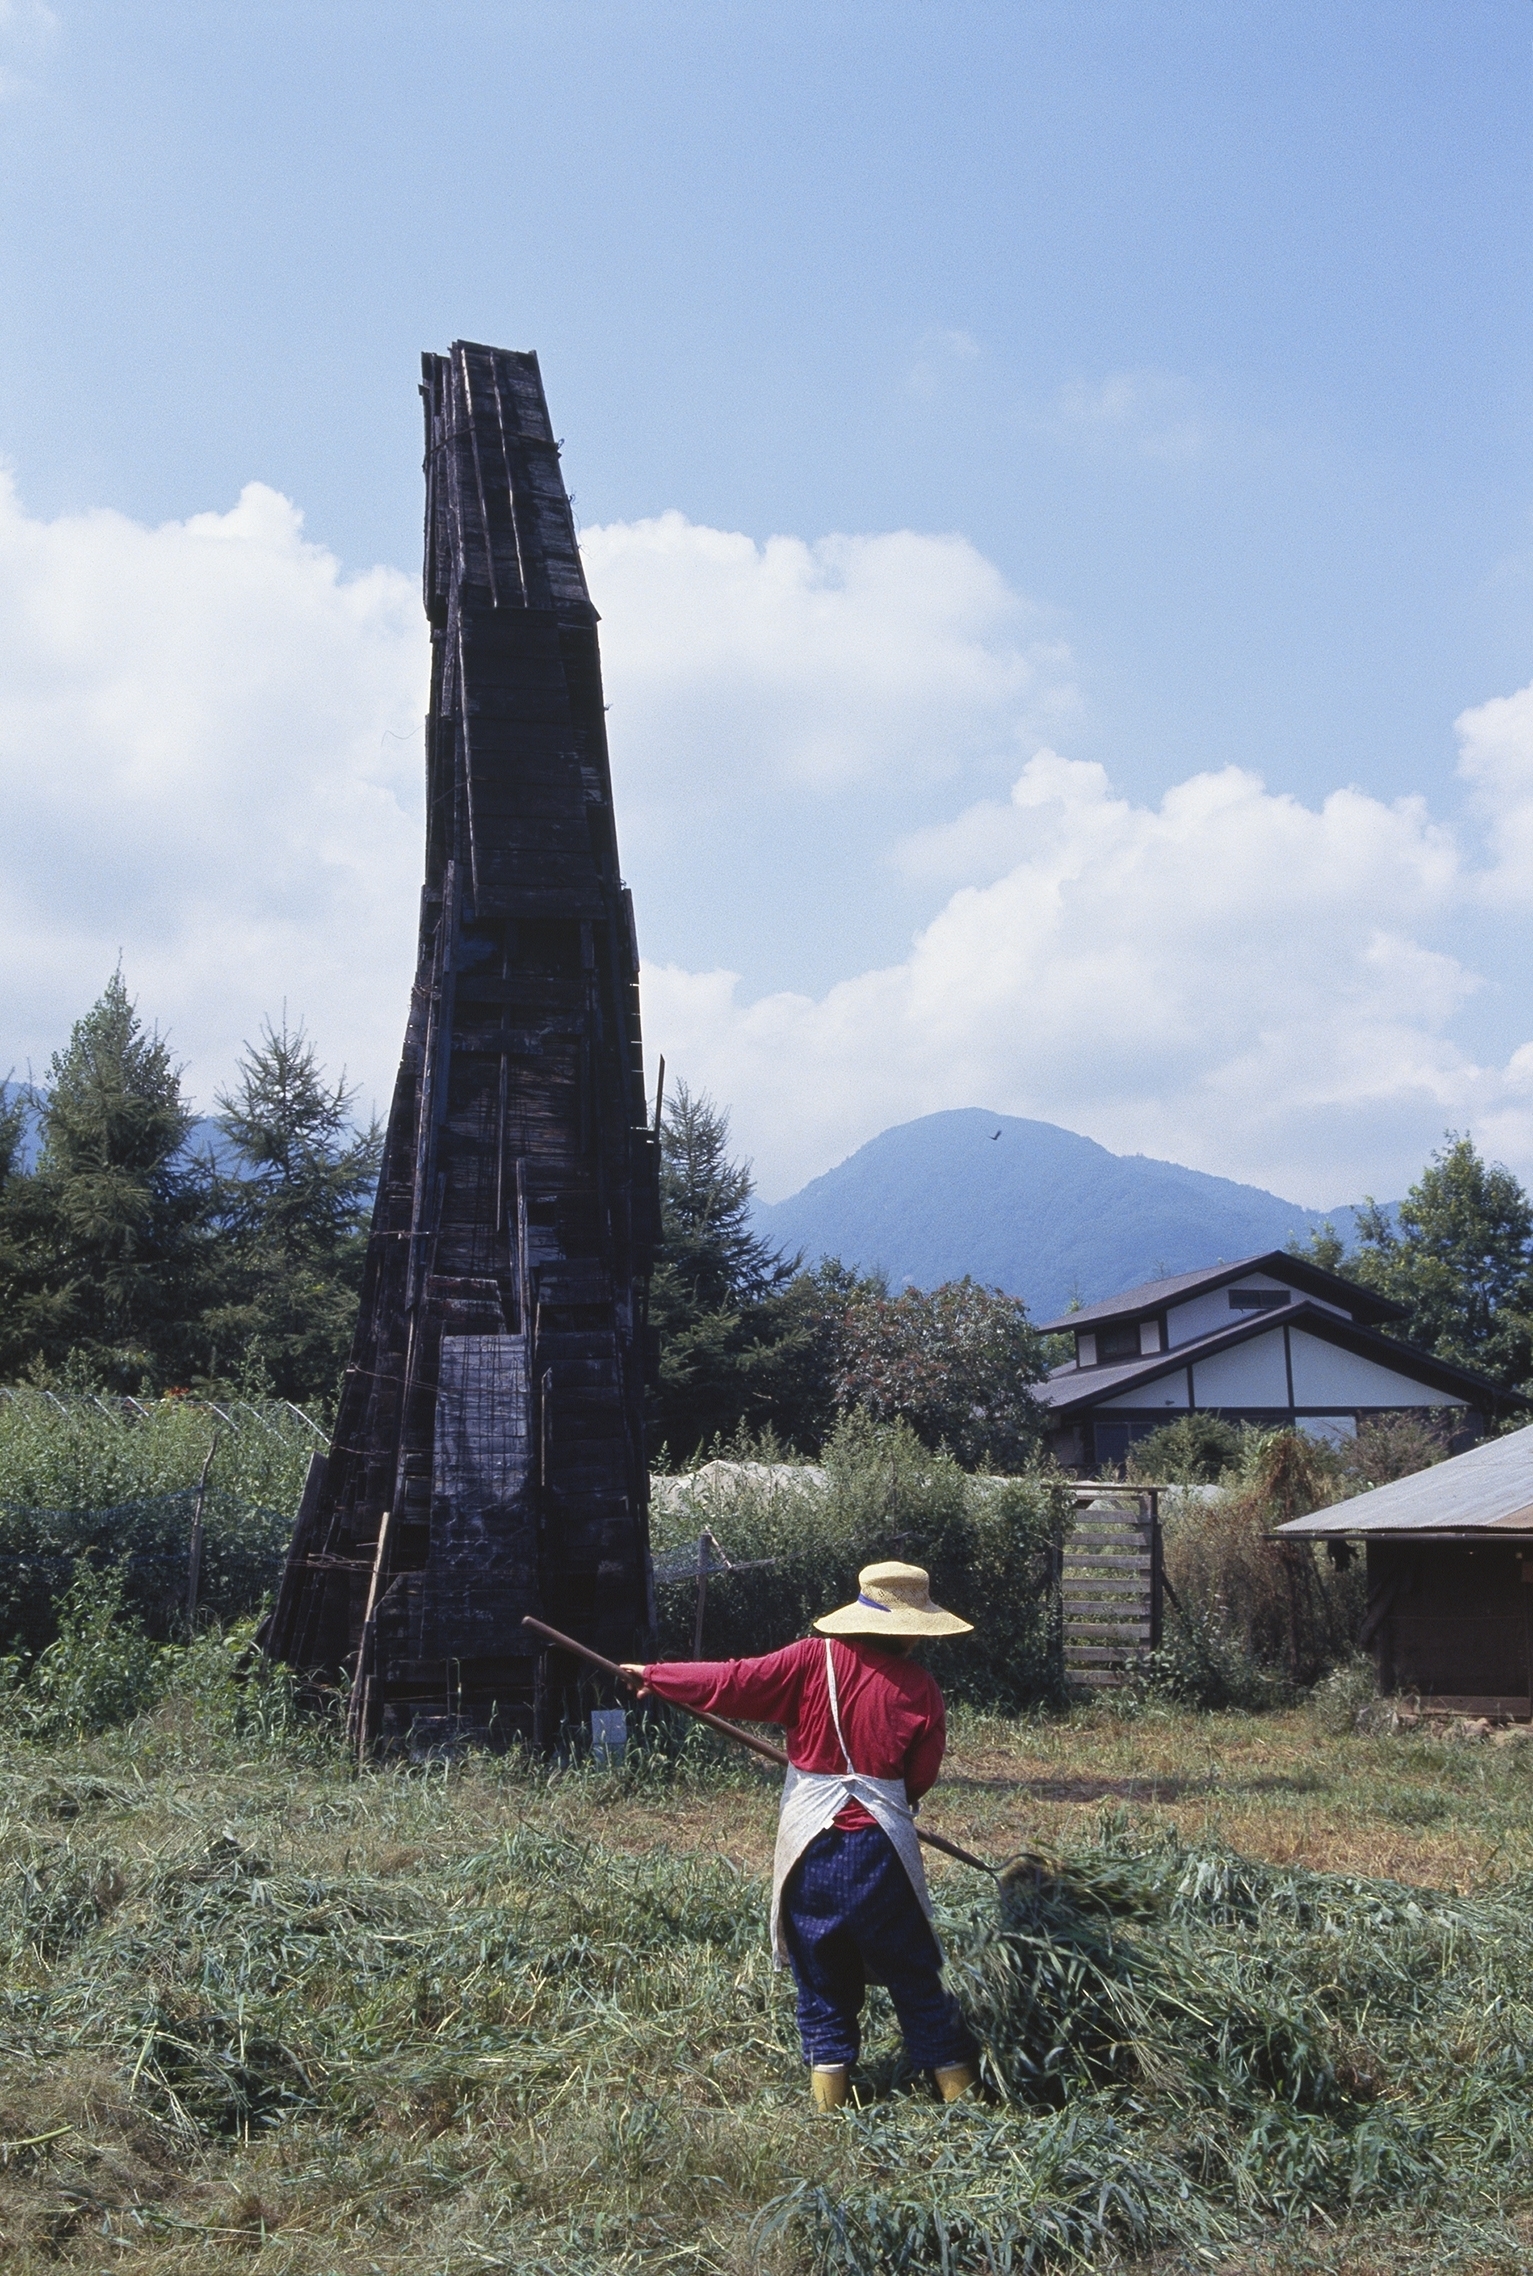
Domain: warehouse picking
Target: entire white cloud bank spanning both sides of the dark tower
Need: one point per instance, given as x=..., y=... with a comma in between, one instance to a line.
x=210, y=761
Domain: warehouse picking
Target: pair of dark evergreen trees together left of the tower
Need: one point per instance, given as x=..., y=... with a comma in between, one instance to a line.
x=133, y=1264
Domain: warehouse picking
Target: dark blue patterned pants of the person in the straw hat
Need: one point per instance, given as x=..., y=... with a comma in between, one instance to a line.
x=852, y=1918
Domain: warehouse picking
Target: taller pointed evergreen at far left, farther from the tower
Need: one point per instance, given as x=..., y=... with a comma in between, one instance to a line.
x=108, y=1237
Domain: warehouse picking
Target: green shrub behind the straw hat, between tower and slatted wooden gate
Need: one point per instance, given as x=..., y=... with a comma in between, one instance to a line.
x=986, y=1542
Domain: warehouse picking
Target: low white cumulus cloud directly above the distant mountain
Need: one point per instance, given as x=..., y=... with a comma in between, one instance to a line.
x=1229, y=978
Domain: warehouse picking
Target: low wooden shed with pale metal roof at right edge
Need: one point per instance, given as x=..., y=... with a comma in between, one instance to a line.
x=1450, y=1578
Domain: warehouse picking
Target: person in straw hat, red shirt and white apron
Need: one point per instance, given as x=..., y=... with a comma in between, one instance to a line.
x=865, y=1738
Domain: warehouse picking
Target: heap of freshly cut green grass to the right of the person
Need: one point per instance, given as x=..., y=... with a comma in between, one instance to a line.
x=1186, y=2050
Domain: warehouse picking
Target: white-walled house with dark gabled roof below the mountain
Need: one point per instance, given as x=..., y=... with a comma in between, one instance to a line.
x=1270, y=1339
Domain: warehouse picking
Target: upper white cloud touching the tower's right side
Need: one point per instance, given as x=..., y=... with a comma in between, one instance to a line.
x=811, y=668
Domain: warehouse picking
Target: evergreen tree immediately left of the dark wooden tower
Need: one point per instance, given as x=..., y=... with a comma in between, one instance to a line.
x=295, y=1219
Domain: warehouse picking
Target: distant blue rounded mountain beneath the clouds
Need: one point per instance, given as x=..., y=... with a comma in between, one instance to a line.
x=1038, y=1212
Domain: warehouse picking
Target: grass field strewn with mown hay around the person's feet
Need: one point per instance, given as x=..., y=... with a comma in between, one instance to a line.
x=260, y=2013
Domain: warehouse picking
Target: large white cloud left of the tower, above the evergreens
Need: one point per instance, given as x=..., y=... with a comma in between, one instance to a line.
x=210, y=757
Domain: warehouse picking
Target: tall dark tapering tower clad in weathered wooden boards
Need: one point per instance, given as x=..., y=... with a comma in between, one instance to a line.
x=488, y=1456
